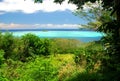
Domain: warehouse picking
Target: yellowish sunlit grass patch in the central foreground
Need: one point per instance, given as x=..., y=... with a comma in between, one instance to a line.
x=66, y=65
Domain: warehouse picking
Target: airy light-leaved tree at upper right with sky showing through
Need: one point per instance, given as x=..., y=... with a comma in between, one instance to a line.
x=94, y=14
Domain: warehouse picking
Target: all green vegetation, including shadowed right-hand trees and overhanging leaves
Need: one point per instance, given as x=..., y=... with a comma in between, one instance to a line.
x=34, y=59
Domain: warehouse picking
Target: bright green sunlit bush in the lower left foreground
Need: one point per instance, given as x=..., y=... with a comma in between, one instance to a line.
x=38, y=70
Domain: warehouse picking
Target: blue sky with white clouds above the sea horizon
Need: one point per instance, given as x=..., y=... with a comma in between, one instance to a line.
x=27, y=14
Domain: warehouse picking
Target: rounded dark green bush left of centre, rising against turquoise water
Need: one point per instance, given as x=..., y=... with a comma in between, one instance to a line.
x=34, y=45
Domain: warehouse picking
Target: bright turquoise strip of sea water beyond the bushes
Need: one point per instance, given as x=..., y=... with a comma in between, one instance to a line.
x=84, y=36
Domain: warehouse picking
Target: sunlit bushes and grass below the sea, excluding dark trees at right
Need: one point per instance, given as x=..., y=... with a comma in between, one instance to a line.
x=30, y=58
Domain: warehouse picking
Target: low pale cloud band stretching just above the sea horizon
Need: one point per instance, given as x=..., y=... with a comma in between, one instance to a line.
x=38, y=26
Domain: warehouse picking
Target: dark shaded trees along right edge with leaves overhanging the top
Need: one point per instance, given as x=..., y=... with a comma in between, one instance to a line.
x=109, y=23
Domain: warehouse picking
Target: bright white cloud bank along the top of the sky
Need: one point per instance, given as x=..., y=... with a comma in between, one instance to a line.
x=28, y=6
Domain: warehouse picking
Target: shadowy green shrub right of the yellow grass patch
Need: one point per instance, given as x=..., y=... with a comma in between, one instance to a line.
x=90, y=56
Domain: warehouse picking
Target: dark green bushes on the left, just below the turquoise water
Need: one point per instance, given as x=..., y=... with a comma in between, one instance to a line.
x=26, y=46
